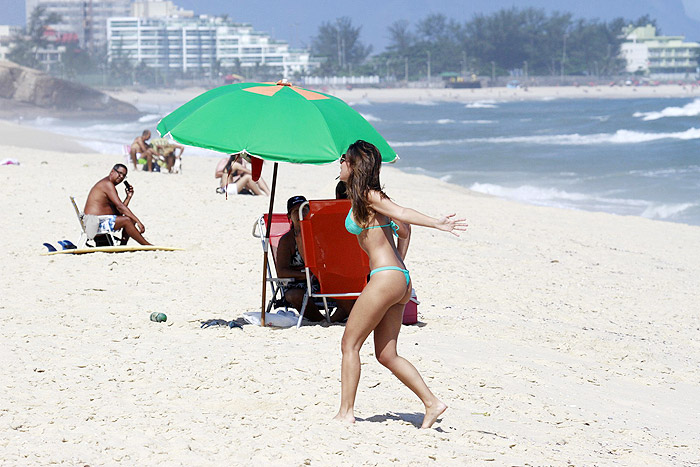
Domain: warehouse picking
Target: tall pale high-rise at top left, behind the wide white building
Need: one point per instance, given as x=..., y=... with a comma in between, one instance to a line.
x=86, y=18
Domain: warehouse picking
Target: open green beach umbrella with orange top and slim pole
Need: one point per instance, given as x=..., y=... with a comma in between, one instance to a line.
x=274, y=122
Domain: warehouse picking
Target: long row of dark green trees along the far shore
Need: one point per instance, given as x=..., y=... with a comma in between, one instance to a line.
x=510, y=41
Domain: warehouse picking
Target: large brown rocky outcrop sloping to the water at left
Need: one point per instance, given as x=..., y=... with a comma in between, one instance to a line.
x=27, y=88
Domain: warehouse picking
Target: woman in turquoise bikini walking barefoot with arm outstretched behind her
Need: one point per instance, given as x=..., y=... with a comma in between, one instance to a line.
x=380, y=306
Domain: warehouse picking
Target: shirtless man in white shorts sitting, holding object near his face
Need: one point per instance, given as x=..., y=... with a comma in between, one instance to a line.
x=103, y=208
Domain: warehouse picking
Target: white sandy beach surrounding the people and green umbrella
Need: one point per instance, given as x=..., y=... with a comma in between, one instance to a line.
x=556, y=337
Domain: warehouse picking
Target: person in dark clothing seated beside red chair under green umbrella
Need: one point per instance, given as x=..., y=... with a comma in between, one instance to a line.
x=290, y=263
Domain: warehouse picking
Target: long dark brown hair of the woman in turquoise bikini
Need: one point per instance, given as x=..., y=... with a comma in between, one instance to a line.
x=365, y=161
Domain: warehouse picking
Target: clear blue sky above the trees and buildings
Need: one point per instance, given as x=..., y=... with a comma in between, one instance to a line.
x=297, y=21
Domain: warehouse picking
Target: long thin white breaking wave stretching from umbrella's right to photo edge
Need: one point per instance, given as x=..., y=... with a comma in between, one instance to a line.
x=575, y=139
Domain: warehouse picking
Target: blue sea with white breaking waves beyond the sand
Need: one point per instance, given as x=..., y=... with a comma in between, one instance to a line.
x=631, y=157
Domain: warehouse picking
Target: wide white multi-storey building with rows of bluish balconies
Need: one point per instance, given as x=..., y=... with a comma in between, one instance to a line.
x=202, y=46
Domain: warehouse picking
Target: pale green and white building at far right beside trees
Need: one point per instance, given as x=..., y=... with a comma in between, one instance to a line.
x=660, y=57
